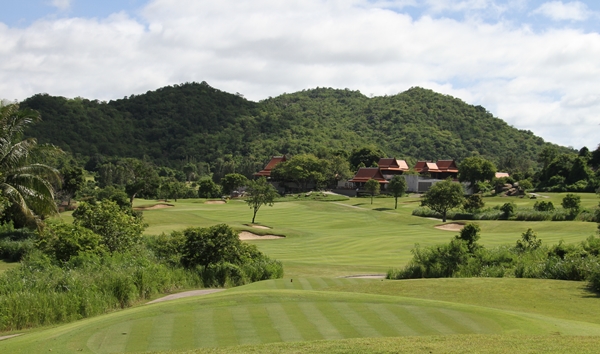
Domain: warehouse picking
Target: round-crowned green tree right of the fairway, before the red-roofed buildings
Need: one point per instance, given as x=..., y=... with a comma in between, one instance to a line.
x=443, y=196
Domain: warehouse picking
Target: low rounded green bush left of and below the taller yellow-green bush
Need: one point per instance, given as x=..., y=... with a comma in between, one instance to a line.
x=61, y=241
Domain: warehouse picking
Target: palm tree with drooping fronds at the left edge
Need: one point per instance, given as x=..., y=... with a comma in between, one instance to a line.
x=27, y=187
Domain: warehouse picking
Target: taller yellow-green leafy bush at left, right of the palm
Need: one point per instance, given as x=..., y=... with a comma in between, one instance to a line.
x=120, y=229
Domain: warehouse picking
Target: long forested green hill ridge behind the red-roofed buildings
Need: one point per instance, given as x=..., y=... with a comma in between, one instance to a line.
x=194, y=121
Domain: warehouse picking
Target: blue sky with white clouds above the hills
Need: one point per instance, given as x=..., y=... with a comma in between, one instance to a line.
x=533, y=63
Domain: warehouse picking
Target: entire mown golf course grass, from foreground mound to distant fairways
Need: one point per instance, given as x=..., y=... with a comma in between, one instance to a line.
x=312, y=310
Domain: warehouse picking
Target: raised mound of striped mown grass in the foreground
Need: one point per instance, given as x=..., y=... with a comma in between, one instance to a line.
x=247, y=317
